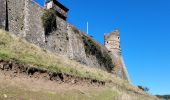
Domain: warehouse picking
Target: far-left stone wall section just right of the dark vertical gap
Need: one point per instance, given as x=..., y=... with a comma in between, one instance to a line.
x=16, y=16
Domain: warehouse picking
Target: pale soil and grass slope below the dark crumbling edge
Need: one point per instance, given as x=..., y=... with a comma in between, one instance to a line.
x=21, y=88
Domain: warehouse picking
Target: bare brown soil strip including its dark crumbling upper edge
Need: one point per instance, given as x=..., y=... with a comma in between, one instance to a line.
x=29, y=76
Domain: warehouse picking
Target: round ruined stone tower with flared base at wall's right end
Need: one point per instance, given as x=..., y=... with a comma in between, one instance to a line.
x=112, y=44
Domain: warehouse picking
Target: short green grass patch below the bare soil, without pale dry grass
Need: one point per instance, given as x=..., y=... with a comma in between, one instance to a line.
x=16, y=93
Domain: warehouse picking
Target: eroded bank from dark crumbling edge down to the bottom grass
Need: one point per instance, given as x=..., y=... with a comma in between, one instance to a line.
x=24, y=78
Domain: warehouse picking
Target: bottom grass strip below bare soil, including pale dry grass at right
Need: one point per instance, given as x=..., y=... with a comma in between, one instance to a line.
x=24, y=93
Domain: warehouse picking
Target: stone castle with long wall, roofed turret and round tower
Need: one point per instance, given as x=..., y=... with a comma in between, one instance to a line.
x=23, y=18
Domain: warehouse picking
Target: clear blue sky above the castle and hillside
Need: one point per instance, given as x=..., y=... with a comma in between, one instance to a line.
x=145, y=33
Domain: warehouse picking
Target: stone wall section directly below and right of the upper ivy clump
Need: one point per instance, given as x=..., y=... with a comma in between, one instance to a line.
x=57, y=41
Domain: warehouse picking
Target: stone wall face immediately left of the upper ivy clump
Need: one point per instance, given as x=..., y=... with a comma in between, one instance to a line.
x=34, y=31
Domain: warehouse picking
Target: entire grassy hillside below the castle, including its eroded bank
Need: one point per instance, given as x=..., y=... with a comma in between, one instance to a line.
x=29, y=72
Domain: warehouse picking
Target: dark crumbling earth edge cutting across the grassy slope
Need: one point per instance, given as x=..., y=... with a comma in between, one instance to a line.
x=33, y=71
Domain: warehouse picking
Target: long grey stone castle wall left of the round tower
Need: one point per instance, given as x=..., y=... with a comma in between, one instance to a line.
x=24, y=20
